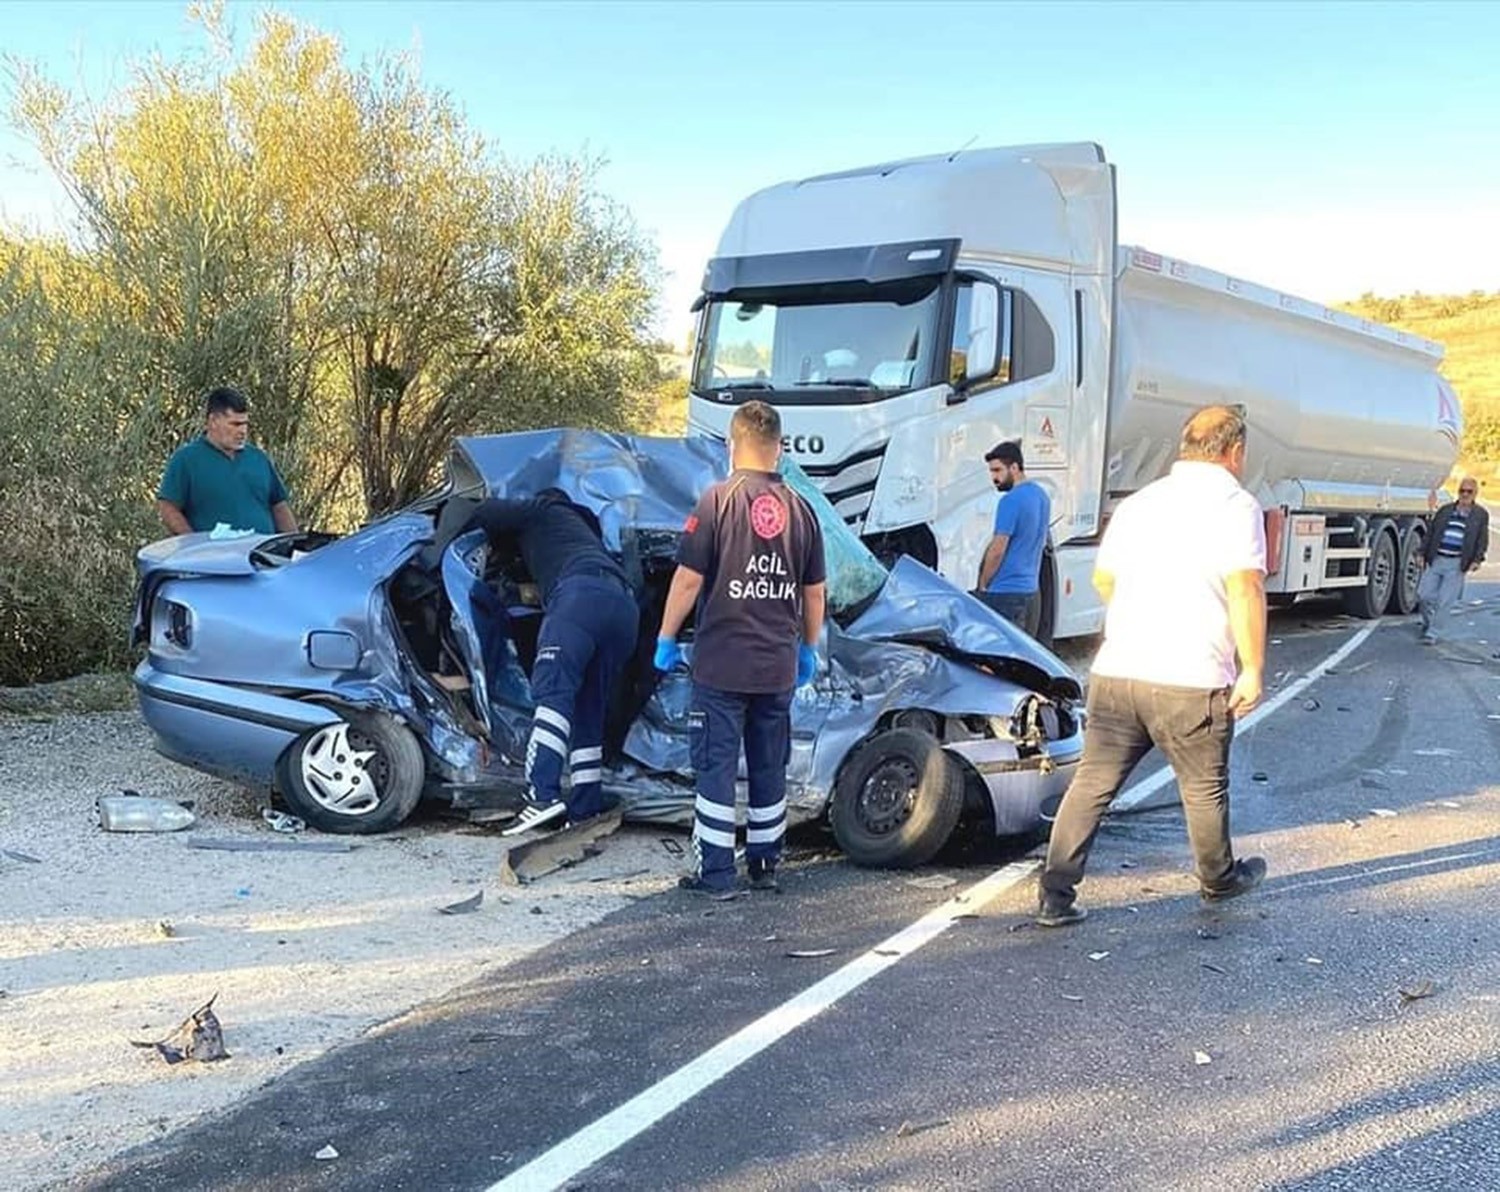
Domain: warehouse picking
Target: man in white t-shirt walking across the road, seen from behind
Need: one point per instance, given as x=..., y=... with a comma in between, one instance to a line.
x=1183, y=569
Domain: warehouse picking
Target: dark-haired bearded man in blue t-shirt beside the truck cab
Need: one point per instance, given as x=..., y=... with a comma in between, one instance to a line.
x=1012, y=568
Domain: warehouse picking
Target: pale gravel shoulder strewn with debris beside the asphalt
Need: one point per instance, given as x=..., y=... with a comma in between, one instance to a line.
x=304, y=951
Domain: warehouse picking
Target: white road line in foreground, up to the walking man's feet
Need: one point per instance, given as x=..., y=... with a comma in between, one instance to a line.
x=593, y=1143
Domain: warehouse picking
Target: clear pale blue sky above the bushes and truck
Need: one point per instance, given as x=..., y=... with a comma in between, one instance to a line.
x=1322, y=149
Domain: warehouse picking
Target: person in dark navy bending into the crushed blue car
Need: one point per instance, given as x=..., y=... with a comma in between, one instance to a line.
x=589, y=632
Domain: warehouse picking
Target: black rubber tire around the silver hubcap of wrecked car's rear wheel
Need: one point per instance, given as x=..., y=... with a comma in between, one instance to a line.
x=397, y=770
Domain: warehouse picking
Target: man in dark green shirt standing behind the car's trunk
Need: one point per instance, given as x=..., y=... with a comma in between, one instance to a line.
x=223, y=479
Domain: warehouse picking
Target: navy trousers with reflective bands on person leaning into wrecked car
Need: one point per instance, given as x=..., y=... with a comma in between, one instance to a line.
x=587, y=636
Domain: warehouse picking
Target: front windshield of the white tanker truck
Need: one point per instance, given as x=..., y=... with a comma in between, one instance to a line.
x=823, y=344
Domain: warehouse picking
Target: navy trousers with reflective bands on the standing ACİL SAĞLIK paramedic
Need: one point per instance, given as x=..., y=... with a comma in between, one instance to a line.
x=724, y=722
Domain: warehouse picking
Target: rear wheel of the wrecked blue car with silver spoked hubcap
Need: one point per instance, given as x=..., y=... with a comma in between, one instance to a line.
x=359, y=776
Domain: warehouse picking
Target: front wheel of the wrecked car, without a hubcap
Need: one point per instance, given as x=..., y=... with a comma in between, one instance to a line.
x=898, y=800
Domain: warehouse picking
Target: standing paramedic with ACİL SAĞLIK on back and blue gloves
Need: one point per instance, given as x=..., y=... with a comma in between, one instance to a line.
x=752, y=562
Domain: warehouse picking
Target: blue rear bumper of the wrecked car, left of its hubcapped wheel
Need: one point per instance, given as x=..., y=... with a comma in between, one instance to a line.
x=223, y=729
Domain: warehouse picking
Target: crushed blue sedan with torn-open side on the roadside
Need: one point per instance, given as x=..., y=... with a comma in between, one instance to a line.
x=356, y=675
